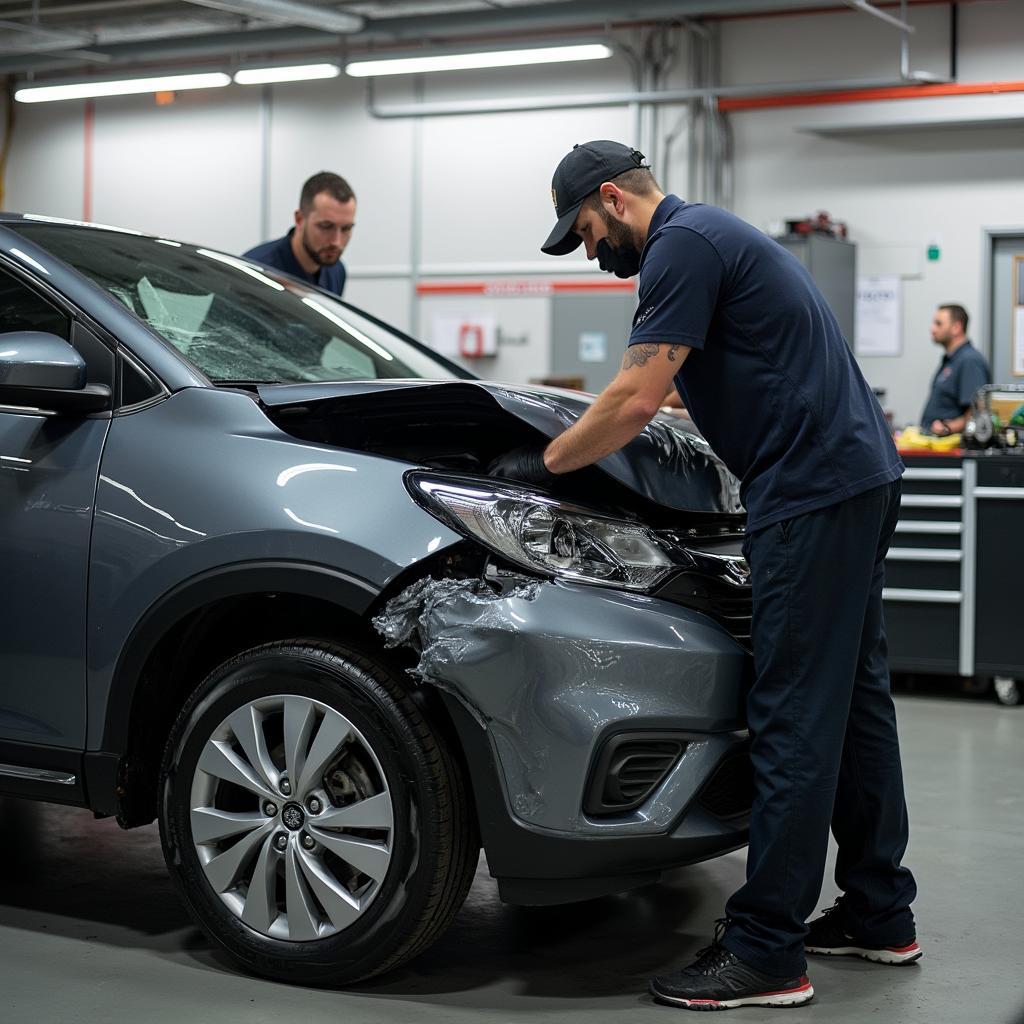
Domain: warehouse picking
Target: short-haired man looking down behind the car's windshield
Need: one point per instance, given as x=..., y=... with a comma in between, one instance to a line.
x=324, y=223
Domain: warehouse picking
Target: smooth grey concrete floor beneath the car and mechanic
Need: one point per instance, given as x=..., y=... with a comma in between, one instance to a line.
x=91, y=929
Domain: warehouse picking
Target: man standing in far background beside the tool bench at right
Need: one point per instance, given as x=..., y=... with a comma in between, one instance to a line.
x=963, y=371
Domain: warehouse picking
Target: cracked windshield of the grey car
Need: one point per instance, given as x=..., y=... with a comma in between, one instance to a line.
x=233, y=319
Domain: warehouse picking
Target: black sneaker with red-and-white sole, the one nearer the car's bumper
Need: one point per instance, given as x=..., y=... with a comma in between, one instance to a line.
x=718, y=979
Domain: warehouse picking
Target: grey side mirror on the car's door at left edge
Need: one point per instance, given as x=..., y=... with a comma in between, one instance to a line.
x=42, y=371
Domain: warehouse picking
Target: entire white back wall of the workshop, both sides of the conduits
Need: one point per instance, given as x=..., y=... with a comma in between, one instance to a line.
x=481, y=203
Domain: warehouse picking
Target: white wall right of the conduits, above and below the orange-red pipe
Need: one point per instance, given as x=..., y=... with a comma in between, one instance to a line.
x=899, y=191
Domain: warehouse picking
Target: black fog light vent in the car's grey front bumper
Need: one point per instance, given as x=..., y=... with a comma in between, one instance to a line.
x=629, y=769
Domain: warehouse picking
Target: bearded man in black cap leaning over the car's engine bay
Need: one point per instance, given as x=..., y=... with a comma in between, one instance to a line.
x=739, y=327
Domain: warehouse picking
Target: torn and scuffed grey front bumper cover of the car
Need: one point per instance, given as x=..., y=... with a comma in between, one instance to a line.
x=547, y=669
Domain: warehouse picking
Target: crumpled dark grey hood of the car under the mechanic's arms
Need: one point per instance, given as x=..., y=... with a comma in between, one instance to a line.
x=668, y=462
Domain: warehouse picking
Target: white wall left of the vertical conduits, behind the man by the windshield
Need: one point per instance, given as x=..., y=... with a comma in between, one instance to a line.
x=194, y=170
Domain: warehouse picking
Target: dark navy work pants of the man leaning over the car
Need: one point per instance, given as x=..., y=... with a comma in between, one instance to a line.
x=824, y=736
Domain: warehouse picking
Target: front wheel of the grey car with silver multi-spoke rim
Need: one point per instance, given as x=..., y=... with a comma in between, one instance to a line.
x=316, y=826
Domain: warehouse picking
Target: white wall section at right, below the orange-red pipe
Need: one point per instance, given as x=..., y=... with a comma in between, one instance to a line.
x=898, y=194
